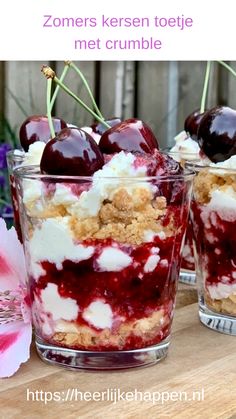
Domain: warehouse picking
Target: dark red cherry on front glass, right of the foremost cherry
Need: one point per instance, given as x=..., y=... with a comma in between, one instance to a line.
x=130, y=135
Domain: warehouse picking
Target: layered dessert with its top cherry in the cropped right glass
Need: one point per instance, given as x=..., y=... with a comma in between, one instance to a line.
x=214, y=211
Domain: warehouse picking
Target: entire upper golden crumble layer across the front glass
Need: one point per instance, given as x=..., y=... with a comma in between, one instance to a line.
x=125, y=218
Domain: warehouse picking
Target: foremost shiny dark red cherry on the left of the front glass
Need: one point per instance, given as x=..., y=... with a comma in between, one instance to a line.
x=72, y=152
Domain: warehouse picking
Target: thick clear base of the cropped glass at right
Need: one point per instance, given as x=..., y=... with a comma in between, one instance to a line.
x=217, y=321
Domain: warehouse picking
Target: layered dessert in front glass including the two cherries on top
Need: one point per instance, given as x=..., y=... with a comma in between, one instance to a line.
x=103, y=227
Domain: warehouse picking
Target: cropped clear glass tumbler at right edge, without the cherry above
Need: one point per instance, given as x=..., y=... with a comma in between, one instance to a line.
x=213, y=213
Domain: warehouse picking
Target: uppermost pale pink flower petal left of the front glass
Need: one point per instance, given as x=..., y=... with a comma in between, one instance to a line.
x=12, y=261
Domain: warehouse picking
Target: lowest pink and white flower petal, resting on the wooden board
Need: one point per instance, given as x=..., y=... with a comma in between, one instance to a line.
x=15, y=340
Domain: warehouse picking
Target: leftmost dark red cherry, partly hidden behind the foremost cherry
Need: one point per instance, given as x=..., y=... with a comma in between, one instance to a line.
x=36, y=128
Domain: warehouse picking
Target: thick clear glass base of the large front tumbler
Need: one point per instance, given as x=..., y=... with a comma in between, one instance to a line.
x=109, y=360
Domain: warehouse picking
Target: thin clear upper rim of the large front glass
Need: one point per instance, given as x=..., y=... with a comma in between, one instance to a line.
x=33, y=172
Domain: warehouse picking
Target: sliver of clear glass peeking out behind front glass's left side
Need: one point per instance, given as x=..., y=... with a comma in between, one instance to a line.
x=15, y=158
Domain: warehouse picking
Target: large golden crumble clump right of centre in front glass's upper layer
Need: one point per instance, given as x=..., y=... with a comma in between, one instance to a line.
x=124, y=219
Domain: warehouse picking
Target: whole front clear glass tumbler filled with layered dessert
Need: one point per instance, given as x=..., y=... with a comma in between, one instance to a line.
x=103, y=258
